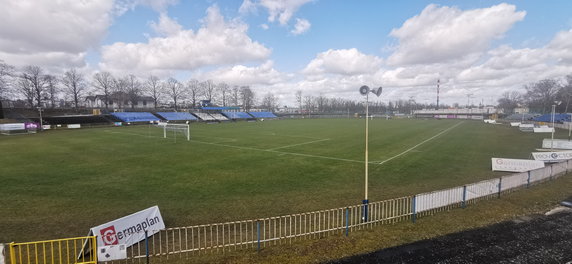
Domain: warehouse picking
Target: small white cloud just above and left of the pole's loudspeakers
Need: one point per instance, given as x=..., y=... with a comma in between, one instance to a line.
x=343, y=61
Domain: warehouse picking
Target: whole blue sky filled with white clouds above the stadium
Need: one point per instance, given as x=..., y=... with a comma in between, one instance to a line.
x=328, y=47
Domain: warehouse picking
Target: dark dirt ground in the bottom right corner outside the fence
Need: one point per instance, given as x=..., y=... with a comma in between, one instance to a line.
x=529, y=239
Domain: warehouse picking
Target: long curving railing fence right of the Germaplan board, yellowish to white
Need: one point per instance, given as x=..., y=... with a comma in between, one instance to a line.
x=182, y=242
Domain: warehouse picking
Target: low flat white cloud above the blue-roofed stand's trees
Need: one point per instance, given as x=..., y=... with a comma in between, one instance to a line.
x=264, y=74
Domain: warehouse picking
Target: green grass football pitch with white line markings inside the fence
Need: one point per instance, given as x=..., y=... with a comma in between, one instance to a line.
x=60, y=183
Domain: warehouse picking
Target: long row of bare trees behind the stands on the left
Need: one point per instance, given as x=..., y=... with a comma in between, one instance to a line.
x=40, y=89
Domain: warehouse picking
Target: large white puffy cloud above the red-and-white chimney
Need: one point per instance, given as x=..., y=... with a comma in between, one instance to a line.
x=440, y=34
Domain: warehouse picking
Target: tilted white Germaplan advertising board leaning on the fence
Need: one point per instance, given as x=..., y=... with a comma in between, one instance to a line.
x=130, y=229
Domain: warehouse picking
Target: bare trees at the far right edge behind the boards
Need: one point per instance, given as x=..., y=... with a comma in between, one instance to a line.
x=540, y=96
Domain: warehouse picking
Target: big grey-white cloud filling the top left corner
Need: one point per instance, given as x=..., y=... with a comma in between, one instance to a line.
x=52, y=32
